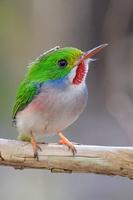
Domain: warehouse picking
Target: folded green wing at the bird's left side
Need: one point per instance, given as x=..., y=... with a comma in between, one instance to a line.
x=25, y=94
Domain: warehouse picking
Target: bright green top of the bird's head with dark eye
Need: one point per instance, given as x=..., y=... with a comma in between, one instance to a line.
x=55, y=64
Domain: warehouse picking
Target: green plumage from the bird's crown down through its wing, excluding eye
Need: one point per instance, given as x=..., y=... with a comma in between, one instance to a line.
x=44, y=68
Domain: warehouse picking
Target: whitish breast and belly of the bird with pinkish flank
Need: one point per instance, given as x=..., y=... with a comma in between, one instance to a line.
x=57, y=109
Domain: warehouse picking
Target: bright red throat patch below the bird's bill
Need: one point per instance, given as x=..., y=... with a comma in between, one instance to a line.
x=80, y=73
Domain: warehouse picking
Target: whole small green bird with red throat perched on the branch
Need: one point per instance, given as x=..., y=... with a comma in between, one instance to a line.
x=53, y=94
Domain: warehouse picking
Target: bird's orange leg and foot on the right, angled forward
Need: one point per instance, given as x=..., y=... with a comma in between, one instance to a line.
x=65, y=141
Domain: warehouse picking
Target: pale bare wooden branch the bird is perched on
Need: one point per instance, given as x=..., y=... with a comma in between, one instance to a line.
x=57, y=158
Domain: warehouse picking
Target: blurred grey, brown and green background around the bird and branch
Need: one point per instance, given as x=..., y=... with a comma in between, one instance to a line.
x=28, y=28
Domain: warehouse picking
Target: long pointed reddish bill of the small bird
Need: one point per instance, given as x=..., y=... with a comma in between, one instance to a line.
x=92, y=52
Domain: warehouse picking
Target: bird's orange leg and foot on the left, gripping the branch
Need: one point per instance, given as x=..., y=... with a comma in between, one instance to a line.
x=35, y=146
